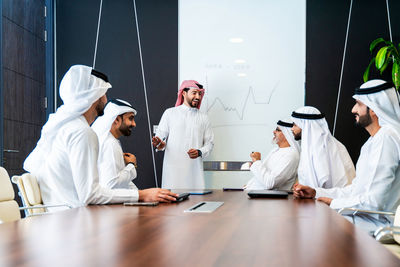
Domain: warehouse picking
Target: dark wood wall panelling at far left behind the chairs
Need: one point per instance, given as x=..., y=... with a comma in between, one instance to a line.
x=23, y=58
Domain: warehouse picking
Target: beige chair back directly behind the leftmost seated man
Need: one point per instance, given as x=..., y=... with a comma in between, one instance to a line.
x=30, y=192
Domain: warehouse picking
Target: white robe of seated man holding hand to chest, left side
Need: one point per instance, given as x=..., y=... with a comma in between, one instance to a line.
x=113, y=172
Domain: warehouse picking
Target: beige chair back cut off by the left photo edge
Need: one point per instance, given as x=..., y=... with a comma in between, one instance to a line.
x=9, y=210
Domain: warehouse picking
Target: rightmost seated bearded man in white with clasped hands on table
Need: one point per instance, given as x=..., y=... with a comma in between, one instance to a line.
x=377, y=183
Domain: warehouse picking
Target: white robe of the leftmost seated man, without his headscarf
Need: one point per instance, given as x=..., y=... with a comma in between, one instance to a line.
x=70, y=174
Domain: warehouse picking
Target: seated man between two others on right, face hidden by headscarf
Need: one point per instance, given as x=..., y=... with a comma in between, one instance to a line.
x=324, y=161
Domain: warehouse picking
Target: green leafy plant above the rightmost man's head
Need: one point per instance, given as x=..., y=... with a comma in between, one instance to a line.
x=386, y=55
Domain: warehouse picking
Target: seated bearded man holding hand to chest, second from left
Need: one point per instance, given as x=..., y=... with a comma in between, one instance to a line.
x=116, y=169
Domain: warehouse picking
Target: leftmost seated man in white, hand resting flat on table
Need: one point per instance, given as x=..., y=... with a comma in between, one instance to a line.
x=65, y=158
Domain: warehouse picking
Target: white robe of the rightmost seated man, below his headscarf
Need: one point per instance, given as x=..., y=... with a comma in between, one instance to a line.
x=377, y=183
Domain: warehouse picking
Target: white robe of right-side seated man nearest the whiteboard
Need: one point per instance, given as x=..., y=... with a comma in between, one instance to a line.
x=277, y=171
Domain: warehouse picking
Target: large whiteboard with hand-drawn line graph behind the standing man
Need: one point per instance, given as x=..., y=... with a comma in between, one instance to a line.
x=250, y=57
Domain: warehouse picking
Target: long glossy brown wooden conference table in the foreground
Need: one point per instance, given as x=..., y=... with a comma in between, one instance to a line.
x=242, y=232
